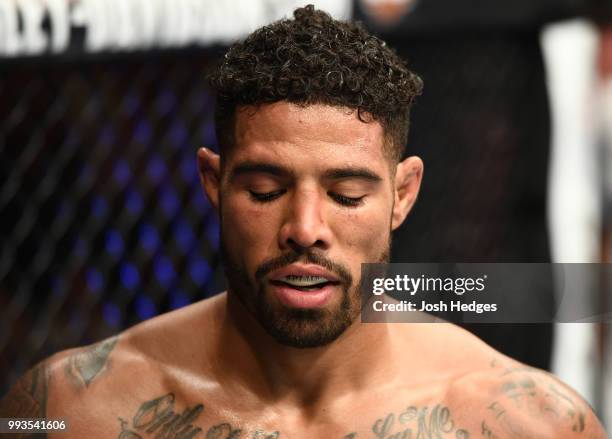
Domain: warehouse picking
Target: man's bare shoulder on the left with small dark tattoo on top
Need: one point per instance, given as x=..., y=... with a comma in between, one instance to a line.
x=90, y=385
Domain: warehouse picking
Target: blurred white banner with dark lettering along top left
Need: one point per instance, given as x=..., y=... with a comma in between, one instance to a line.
x=86, y=26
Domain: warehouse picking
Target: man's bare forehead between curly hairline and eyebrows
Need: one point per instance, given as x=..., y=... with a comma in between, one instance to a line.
x=318, y=134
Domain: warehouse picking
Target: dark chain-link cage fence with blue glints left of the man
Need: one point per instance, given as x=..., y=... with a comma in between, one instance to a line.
x=102, y=216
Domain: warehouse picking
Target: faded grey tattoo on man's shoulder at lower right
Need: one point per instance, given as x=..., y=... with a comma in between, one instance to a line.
x=525, y=391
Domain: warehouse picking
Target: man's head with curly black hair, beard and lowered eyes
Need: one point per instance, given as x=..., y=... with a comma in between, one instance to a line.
x=312, y=117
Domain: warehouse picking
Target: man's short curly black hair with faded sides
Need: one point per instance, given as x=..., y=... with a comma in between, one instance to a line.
x=314, y=59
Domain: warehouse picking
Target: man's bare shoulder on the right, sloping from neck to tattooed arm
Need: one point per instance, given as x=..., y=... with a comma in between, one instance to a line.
x=498, y=397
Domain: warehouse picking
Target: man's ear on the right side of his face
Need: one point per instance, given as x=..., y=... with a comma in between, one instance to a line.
x=408, y=176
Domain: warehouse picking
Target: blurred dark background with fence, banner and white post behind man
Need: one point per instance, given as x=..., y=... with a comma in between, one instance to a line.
x=103, y=104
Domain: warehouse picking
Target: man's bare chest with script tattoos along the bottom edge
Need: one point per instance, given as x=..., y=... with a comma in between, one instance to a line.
x=169, y=416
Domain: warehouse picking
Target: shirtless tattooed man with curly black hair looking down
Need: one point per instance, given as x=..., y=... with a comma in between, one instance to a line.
x=312, y=116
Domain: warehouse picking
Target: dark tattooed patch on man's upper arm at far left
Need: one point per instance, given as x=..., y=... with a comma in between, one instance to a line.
x=28, y=398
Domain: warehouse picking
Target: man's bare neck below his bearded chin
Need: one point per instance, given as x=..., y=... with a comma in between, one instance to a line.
x=360, y=358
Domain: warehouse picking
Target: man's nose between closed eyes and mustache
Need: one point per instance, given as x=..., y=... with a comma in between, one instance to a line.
x=305, y=225
